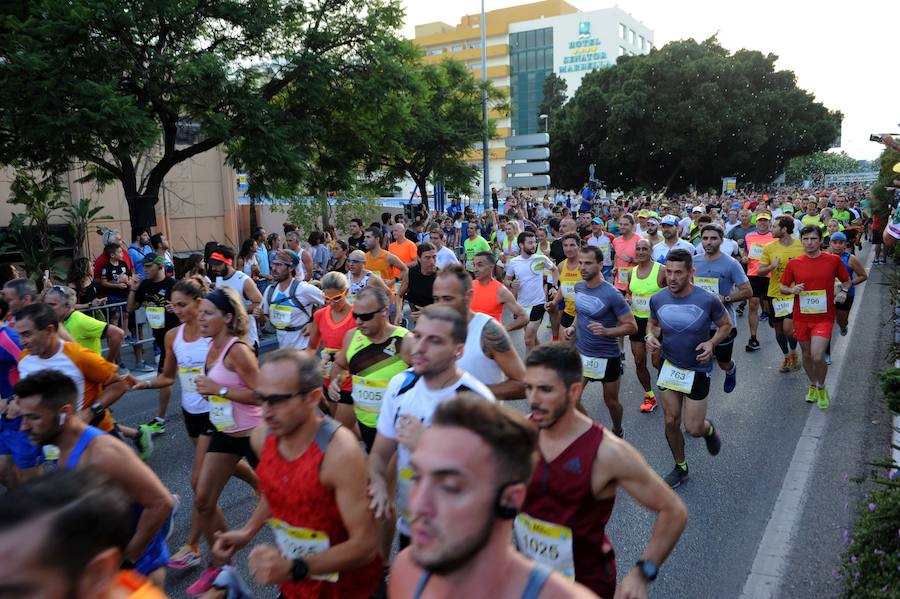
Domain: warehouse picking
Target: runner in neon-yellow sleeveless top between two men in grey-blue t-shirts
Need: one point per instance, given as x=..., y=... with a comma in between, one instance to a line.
x=647, y=278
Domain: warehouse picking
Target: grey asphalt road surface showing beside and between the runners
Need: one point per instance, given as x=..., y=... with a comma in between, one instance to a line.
x=729, y=496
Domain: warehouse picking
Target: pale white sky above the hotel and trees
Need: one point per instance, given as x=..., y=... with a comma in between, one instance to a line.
x=840, y=52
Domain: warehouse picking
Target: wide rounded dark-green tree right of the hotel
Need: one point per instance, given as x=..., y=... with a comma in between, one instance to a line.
x=689, y=113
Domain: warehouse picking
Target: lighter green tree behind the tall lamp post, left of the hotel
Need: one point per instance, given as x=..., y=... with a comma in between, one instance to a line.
x=435, y=120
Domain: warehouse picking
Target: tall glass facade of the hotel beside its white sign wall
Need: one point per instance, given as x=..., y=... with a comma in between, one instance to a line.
x=530, y=61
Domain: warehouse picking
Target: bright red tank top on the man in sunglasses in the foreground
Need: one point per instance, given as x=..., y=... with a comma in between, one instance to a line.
x=298, y=498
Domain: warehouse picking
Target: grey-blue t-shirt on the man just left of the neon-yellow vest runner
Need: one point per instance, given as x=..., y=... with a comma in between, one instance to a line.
x=603, y=304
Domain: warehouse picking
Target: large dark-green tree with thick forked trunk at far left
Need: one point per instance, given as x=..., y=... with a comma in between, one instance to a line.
x=132, y=88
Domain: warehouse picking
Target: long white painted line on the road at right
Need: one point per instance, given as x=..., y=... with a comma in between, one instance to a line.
x=768, y=569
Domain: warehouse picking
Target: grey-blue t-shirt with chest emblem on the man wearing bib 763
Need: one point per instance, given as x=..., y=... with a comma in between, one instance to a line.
x=685, y=323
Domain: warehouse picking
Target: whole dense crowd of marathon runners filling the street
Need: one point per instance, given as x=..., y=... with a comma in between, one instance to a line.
x=378, y=422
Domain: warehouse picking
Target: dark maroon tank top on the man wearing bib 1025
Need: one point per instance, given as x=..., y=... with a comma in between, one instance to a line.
x=560, y=492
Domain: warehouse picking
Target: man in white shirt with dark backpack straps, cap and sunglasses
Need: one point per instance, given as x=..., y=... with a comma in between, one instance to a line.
x=289, y=303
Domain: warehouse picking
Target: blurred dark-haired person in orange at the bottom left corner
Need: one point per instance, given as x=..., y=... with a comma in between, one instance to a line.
x=48, y=552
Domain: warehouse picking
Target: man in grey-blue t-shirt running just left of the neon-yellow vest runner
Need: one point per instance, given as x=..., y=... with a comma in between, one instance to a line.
x=601, y=317
